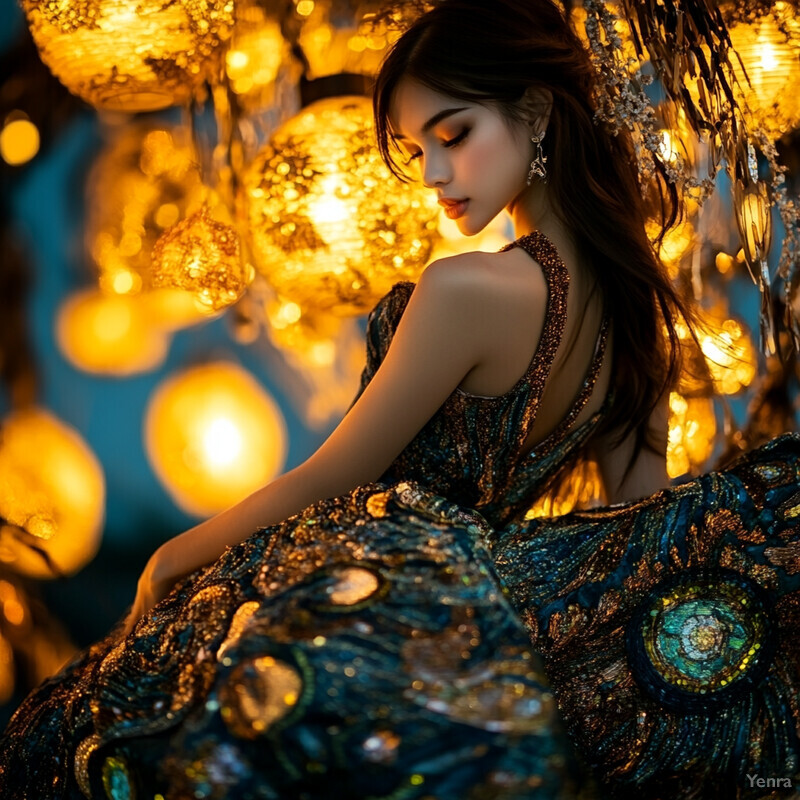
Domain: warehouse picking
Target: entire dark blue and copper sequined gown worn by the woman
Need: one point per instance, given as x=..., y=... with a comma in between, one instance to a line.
x=387, y=643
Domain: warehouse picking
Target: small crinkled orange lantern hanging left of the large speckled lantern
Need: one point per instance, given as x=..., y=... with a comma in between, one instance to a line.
x=201, y=256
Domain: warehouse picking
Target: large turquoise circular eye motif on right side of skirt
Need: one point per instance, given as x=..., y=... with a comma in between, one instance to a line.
x=701, y=638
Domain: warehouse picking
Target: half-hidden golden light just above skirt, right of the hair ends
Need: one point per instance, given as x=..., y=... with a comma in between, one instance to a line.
x=692, y=429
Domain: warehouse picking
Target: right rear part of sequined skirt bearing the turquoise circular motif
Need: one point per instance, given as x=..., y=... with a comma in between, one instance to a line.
x=669, y=628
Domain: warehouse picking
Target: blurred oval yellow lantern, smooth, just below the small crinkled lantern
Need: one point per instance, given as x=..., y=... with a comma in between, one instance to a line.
x=110, y=334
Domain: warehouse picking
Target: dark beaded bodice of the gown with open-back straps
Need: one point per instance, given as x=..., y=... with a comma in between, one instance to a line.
x=471, y=450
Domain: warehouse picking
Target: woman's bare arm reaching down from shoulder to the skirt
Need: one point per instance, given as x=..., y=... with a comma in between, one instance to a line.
x=437, y=342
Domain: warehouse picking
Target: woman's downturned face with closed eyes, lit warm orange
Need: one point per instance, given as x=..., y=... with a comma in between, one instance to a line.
x=465, y=151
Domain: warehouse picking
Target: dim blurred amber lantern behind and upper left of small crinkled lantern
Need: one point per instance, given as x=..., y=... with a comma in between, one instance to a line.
x=145, y=181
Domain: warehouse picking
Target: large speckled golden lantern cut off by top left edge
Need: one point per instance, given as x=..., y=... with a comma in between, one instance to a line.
x=130, y=55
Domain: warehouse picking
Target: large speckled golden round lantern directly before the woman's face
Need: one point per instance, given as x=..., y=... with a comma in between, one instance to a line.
x=331, y=228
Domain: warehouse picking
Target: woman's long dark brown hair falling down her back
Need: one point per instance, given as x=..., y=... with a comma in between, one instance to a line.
x=491, y=52
